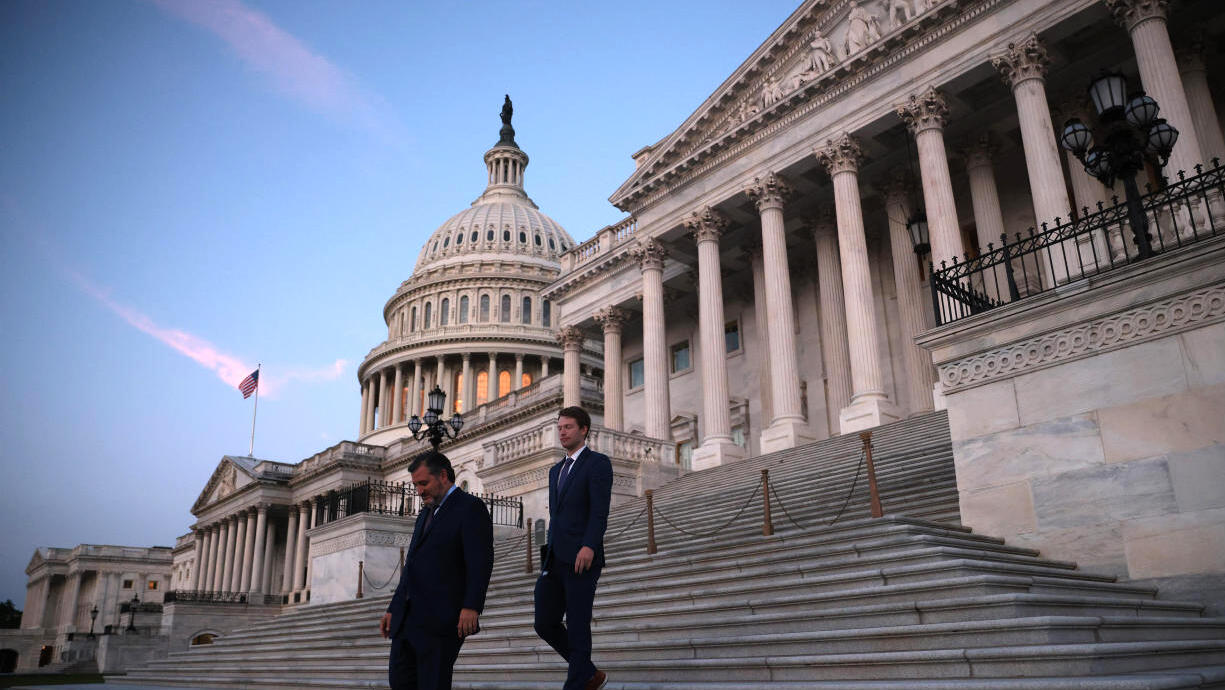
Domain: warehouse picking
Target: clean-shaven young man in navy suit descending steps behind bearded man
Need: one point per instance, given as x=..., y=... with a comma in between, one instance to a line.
x=580, y=492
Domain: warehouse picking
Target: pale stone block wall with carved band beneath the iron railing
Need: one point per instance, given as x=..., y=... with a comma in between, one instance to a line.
x=1087, y=422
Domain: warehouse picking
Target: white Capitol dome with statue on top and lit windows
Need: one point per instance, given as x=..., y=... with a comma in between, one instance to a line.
x=471, y=319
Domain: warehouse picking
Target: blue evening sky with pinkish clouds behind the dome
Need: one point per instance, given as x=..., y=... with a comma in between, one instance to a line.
x=189, y=188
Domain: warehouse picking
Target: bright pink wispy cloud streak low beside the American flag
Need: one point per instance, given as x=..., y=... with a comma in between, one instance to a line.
x=230, y=368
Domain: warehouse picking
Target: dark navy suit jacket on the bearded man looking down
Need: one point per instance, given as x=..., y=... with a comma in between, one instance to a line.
x=447, y=569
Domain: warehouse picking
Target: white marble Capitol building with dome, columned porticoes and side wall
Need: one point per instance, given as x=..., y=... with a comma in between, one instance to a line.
x=880, y=214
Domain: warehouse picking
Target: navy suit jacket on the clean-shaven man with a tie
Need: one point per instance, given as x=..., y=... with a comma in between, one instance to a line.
x=579, y=515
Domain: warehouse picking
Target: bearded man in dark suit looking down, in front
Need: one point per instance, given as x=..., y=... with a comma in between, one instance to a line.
x=443, y=585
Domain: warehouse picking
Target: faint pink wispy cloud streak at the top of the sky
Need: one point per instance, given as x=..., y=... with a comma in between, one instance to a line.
x=290, y=66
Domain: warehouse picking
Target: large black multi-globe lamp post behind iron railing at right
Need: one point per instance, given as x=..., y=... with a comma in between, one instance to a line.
x=1130, y=132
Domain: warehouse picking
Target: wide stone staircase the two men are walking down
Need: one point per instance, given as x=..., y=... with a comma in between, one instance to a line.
x=910, y=601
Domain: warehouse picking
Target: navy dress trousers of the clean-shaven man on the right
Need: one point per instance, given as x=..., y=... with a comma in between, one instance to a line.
x=564, y=593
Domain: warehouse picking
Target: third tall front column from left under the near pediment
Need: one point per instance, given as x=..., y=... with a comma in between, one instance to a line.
x=788, y=428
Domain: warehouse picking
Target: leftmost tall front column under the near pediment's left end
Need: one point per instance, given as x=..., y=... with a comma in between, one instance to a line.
x=658, y=423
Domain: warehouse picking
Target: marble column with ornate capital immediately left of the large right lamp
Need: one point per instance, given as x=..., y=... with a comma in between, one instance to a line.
x=1023, y=67
